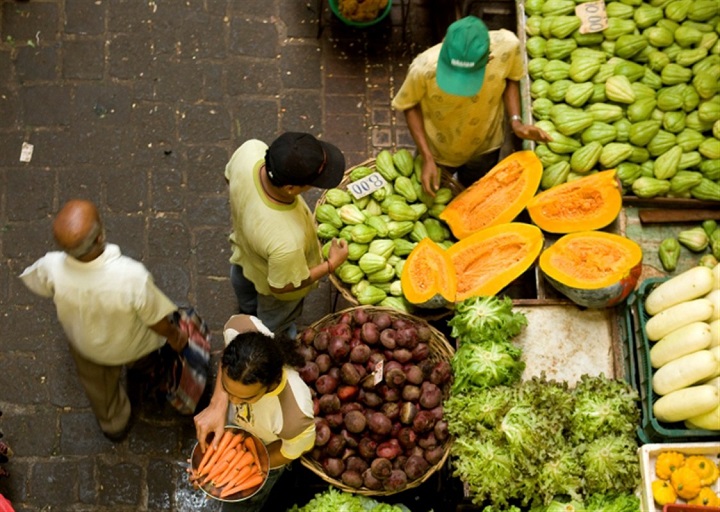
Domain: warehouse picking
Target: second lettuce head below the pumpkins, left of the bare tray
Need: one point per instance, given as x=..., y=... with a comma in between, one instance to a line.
x=488, y=364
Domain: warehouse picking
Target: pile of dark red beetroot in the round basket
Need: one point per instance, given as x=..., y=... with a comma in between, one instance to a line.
x=378, y=393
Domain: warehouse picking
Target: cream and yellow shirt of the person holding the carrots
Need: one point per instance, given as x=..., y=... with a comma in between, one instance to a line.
x=285, y=413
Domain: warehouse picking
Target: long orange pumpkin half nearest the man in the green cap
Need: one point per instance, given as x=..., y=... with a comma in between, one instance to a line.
x=496, y=198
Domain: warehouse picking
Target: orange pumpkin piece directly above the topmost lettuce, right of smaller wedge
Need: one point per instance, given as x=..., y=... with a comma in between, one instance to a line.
x=491, y=259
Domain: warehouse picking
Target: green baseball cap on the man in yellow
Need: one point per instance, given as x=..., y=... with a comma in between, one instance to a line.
x=463, y=57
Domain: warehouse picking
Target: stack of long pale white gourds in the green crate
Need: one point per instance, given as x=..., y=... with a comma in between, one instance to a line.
x=684, y=327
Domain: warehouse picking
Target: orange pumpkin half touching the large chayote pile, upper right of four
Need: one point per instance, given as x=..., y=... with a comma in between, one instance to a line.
x=588, y=203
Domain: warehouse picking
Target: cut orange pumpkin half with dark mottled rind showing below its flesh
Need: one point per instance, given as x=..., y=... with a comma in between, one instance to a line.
x=594, y=269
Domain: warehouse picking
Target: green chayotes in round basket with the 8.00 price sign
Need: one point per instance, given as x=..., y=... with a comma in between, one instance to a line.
x=383, y=228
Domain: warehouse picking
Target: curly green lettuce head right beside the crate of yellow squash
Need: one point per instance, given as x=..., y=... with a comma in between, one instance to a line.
x=611, y=464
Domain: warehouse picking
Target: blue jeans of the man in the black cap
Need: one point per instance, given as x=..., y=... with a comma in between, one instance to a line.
x=278, y=315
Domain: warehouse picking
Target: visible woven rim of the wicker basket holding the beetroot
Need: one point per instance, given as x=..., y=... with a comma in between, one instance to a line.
x=440, y=349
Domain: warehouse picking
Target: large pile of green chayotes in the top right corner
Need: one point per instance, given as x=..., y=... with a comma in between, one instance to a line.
x=640, y=96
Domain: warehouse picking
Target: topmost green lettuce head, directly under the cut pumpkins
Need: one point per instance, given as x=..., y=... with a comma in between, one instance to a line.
x=479, y=319
